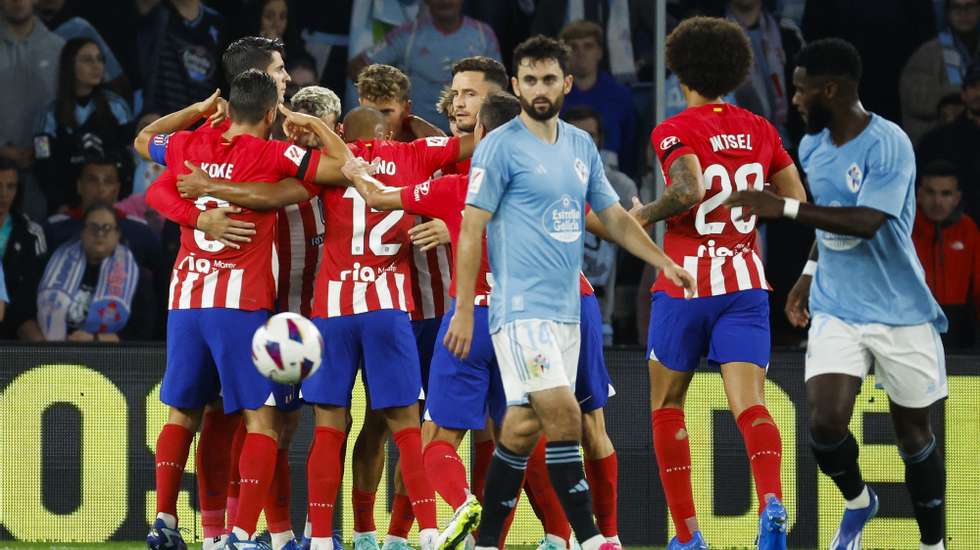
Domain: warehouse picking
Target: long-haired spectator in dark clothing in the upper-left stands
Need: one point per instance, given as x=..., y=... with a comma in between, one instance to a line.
x=84, y=117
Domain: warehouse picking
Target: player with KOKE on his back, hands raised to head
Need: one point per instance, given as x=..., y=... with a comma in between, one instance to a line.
x=219, y=294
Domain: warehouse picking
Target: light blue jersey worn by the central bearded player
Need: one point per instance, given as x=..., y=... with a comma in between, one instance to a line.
x=537, y=194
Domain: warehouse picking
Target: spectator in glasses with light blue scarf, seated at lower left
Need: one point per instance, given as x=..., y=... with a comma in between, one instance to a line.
x=93, y=289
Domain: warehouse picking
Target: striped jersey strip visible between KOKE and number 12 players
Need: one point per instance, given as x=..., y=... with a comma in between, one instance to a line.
x=300, y=247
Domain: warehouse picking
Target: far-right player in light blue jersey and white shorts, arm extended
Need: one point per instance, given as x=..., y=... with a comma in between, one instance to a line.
x=868, y=297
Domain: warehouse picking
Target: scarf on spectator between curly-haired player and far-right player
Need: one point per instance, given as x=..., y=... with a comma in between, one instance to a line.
x=771, y=88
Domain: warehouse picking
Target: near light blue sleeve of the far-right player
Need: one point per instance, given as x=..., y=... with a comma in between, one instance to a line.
x=890, y=174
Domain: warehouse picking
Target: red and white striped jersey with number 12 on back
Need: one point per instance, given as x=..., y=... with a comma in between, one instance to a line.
x=368, y=259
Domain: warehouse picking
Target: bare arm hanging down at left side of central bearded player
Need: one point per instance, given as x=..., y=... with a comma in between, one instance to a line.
x=468, y=249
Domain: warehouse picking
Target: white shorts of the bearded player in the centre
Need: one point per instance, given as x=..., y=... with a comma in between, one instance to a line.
x=536, y=355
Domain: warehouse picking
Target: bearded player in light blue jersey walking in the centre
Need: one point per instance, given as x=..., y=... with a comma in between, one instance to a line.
x=530, y=181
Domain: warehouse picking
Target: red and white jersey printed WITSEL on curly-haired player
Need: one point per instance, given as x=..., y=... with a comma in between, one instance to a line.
x=738, y=150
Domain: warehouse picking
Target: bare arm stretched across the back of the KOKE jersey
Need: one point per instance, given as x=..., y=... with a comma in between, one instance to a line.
x=254, y=195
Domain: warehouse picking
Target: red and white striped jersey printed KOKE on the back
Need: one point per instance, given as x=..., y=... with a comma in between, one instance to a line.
x=206, y=273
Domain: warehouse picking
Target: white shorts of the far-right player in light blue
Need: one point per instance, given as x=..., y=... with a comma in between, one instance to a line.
x=909, y=361
